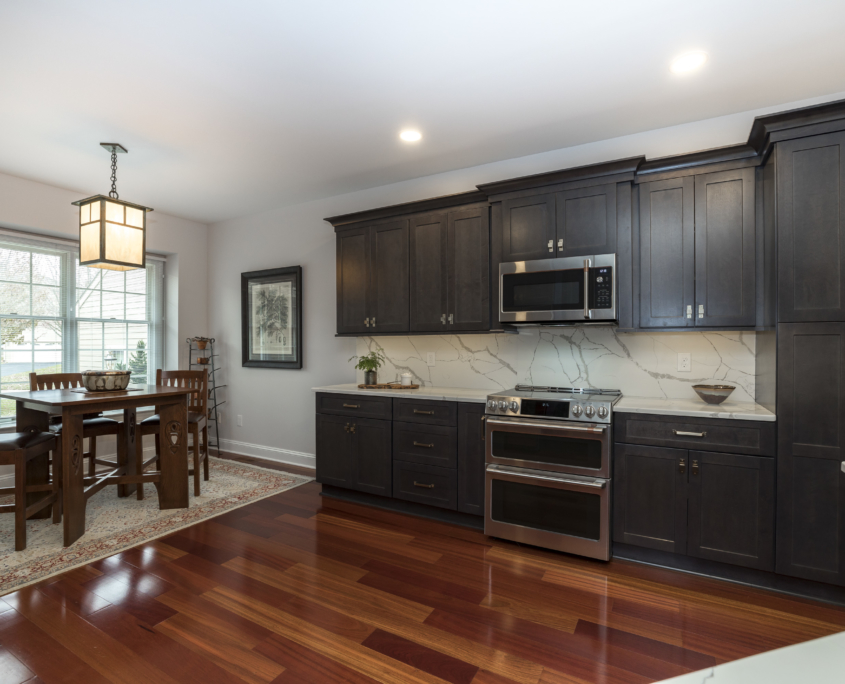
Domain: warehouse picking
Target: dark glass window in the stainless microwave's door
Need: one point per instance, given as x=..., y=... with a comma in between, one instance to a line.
x=544, y=291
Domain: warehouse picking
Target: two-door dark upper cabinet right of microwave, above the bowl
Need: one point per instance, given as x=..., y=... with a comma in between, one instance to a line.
x=697, y=250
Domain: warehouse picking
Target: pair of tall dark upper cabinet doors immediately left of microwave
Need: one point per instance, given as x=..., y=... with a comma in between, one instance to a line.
x=450, y=270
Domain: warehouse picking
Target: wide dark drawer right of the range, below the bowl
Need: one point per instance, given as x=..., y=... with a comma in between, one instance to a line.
x=705, y=434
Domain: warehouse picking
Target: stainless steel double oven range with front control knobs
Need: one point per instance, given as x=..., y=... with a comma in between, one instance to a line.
x=548, y=477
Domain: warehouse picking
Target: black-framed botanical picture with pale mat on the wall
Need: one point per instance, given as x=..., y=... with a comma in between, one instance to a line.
x=271, y=318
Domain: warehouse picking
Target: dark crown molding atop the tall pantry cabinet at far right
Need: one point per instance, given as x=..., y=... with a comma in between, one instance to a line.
x=796, y=123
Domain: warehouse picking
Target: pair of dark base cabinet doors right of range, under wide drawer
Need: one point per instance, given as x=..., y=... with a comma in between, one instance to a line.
x=714, y=506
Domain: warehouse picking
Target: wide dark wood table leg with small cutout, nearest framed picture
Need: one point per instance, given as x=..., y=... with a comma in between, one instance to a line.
x=173, y=433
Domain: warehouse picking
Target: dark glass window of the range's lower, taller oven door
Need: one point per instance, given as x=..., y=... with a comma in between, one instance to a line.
x=543, y=508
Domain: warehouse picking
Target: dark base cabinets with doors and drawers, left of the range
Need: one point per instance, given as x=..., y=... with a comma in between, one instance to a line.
x=431, y=452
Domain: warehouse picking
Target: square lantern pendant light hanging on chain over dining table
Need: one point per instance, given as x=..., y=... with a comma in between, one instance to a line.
x=112, y=232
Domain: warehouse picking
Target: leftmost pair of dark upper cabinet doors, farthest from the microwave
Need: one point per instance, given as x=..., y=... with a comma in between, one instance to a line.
x=373, y=292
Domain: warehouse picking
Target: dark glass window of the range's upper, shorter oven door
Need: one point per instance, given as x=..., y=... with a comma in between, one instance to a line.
x=566, y=451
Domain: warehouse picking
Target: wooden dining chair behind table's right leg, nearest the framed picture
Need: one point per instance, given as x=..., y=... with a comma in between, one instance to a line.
x=197, y=423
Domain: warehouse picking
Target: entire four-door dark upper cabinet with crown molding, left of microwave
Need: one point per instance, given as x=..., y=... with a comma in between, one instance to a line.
x=403, y=269
